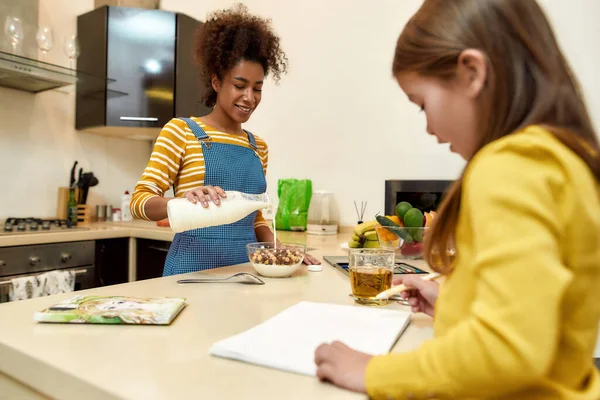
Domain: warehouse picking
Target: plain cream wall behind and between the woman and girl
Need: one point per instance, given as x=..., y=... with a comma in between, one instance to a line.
x=339, y=118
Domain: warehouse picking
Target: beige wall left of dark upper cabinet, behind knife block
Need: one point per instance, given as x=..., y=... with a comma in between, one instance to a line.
x=38, y=141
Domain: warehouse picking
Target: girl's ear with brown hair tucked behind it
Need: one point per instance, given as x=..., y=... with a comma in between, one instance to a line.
x=471, y=72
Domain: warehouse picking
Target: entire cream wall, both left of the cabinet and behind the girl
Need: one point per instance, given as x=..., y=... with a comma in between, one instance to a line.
x=337, y=118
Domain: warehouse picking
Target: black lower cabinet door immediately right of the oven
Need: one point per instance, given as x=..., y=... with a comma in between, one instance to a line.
x=112, y=261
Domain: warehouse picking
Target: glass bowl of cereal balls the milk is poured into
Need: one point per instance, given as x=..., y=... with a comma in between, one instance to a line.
x=275, y=261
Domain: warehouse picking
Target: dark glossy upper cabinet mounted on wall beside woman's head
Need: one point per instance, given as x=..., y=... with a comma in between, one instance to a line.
x=146, y=58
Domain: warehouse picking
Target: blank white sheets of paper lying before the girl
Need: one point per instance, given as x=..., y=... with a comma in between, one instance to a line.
x=288, y=340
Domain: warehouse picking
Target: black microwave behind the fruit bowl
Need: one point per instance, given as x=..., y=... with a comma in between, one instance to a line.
x=426, y=195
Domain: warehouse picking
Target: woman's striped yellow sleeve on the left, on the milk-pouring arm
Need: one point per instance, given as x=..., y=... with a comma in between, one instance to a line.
x=162, y=168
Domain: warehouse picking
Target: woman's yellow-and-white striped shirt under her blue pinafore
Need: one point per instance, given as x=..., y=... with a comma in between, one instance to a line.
x=177, y=160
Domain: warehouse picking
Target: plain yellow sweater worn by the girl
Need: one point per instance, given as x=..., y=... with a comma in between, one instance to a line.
x=518, y=317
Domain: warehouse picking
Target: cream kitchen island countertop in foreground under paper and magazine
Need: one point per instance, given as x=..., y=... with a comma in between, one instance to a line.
x=40, y=361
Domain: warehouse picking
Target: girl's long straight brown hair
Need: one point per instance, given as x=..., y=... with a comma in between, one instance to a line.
x=528, y=82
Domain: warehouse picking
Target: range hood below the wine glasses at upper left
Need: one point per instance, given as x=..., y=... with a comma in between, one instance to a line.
x=23, y=73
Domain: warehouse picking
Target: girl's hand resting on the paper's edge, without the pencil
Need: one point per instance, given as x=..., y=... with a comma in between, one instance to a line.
x=342, y=366
